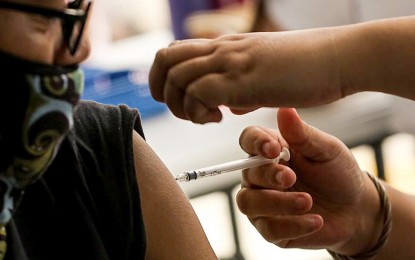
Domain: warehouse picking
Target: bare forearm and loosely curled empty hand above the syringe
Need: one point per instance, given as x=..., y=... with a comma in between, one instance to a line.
x=284, y=69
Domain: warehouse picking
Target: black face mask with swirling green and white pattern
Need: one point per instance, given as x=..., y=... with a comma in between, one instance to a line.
x=35, y=115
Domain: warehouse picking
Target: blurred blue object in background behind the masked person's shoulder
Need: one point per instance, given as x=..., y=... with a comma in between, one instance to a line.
x=128, y=87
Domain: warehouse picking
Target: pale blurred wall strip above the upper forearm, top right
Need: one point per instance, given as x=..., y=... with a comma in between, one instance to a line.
x=304, y=14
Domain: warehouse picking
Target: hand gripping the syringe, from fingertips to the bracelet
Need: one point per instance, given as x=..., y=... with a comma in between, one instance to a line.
x=319, y=199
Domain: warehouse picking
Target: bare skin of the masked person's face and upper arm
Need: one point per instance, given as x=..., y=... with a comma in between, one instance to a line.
x=176, y=227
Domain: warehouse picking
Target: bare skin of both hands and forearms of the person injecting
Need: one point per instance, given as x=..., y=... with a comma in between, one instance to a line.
x=322, y=200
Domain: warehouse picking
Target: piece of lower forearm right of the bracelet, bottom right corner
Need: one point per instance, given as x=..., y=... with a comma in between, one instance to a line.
x=401, y=241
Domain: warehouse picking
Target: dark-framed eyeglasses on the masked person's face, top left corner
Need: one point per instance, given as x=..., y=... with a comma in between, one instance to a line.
x=72, y=18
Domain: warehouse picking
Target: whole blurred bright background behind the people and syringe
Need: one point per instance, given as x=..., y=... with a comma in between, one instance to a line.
x=125, y=36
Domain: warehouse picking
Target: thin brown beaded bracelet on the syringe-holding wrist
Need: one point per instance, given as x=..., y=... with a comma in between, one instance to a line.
x=387, y=226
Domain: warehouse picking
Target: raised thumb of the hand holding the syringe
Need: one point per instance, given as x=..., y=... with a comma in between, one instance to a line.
x=306, y=140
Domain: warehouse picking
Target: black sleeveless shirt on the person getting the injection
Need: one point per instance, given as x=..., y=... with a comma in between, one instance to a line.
x=86, y=205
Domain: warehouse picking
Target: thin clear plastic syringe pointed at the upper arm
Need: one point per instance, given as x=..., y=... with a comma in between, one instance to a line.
x=241, y=164
